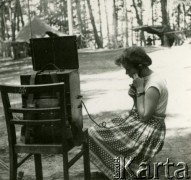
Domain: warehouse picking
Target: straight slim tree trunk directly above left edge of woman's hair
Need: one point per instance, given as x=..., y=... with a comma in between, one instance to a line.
x=114, y=38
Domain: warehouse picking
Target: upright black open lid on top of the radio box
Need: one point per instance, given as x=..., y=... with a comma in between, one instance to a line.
x=61, y=51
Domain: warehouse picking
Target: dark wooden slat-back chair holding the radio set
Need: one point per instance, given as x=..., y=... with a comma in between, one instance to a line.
x=16, y=147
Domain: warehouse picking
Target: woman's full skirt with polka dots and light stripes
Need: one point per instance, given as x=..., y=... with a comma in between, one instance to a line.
x=130, y=138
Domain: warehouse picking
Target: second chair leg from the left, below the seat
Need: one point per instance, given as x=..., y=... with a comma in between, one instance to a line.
x=38, y=166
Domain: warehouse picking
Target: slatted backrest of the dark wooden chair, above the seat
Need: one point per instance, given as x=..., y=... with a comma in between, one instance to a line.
x=15, y=110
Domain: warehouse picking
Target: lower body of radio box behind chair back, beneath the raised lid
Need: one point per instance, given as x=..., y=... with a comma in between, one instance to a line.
x=73, y=104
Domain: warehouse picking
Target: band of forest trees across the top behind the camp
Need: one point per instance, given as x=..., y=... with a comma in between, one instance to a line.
x=102, y=23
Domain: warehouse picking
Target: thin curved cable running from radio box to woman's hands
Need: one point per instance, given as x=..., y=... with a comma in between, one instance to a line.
x=103, y=124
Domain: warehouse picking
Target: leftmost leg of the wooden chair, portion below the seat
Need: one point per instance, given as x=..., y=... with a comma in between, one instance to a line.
x=13, y=167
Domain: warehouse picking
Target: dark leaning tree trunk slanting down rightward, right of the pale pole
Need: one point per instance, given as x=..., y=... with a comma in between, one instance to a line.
x=97, y=39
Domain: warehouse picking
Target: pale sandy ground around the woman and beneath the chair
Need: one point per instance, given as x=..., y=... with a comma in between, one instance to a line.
x=105, y=95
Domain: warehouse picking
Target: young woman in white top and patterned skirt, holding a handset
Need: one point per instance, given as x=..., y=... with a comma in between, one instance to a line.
x=140, y=136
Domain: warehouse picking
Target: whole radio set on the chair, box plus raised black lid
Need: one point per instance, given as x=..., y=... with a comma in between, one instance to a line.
x=62, y=53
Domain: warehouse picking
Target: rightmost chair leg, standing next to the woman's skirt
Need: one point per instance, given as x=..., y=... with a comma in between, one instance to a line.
x=87, y=175
